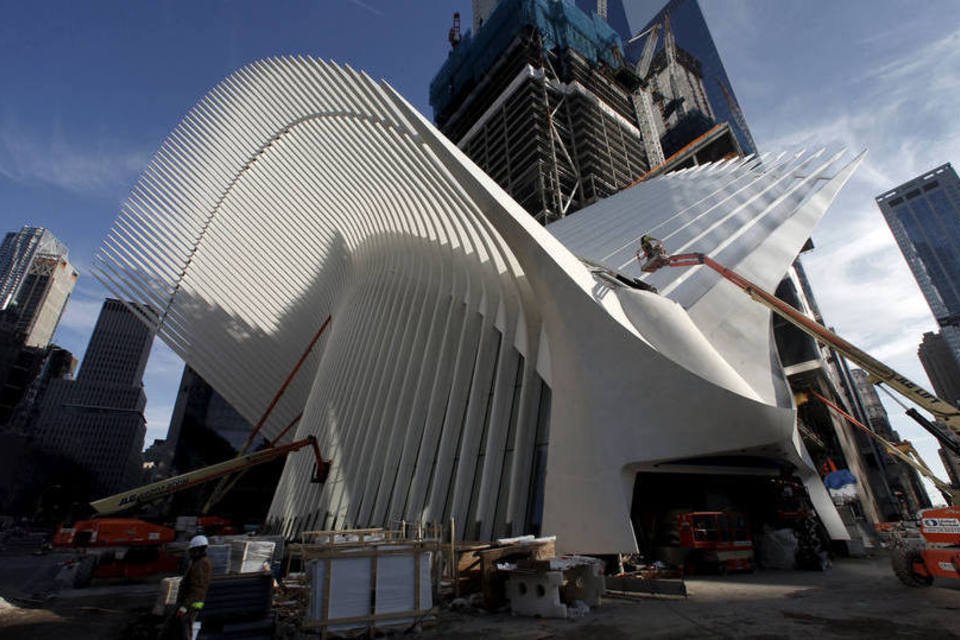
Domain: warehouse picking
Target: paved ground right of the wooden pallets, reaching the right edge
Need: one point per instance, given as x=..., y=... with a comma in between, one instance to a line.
x=854, y=599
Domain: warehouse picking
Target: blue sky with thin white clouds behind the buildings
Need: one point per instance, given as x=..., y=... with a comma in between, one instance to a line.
x=89, y=90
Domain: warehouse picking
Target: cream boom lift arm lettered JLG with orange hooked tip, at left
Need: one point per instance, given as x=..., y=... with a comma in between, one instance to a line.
x=141, y=495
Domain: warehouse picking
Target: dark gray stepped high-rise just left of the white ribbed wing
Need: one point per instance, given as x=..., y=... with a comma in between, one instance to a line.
x=98, y=418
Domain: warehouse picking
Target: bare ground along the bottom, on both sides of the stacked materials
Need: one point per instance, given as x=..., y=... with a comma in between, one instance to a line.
x=854, y=599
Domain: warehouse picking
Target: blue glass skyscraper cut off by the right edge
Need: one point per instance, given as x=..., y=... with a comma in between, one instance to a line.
x=924, y=215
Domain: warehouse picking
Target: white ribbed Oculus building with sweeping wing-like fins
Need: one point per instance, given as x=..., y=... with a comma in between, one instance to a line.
x=475, y=367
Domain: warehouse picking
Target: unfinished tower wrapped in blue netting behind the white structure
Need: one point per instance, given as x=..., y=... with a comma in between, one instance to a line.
x=541, y=99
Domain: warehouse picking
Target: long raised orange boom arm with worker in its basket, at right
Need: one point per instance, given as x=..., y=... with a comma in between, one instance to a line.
x=654, y=257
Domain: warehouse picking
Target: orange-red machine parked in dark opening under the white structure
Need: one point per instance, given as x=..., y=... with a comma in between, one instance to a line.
x=717, y=540
